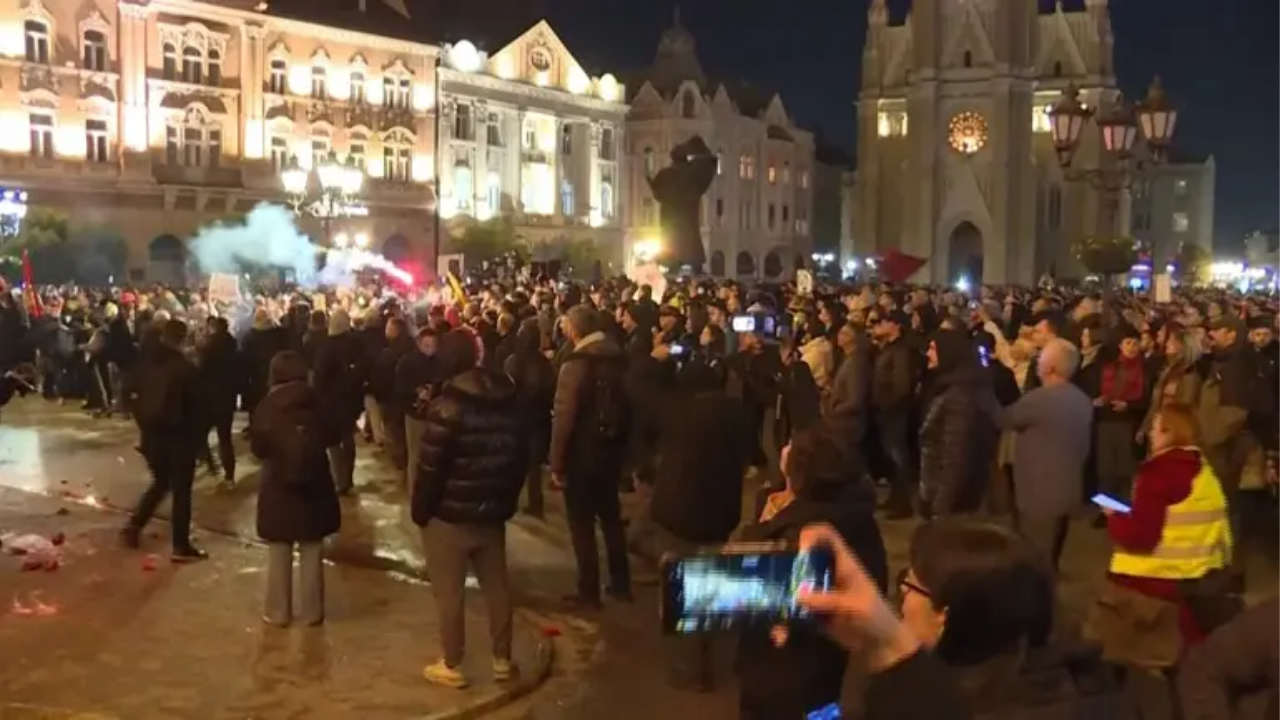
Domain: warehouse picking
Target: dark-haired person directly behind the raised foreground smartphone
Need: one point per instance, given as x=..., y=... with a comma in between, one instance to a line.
x=793, y=678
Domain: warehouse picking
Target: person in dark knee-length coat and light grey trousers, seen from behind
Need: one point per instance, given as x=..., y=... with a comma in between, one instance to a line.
x=298, y=505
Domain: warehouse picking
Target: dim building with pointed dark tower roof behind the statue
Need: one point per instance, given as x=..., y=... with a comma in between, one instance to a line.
x=757, y=216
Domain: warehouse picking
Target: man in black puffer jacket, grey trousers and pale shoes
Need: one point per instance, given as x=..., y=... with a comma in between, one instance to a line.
x=472, y=467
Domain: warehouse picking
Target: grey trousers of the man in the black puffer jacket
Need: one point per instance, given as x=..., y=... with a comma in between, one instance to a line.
x=451, y=550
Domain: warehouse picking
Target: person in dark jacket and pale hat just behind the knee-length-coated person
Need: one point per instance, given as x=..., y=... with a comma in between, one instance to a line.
x=341, y=375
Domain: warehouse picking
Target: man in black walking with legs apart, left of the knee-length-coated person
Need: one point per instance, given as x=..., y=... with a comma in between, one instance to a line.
x=171, y=420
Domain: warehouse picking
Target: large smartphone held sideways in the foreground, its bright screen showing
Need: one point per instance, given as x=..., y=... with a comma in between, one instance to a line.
x=742, y=585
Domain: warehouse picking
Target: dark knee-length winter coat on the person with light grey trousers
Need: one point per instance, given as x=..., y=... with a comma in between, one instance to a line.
x=296, y=496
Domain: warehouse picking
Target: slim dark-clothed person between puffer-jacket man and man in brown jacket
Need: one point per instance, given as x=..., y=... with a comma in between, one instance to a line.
x=536, y=386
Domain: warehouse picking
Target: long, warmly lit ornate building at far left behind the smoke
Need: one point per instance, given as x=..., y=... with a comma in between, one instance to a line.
x=152, y=120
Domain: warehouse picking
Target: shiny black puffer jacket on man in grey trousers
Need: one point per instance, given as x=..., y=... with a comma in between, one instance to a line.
x=474, y=453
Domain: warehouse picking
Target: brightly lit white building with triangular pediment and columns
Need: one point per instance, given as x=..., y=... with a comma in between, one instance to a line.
x=528, y=135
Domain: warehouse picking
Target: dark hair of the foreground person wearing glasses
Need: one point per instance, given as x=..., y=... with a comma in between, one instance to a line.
x=996, y=589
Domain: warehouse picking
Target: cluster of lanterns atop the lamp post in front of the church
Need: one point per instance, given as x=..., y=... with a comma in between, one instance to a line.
x=1121, y=126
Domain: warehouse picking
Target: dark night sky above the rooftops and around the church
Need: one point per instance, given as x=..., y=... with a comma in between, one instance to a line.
x=1218, y=60
